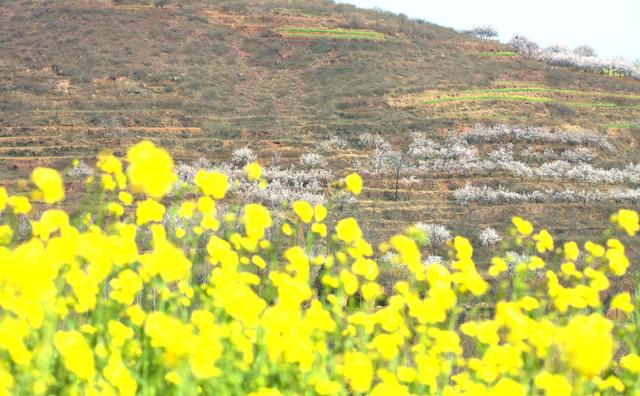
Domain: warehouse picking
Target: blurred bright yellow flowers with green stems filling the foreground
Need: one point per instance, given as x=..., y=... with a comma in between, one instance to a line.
x=168, y=296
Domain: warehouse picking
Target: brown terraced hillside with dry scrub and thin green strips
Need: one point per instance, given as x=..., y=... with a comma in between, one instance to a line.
x=282, y=77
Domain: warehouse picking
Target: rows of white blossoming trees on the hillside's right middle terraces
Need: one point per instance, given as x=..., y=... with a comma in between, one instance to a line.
x=544, y=155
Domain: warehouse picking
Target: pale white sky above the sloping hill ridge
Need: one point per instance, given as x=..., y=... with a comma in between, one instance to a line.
x=612, y=28
